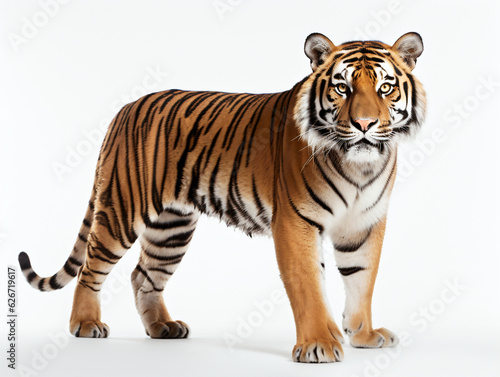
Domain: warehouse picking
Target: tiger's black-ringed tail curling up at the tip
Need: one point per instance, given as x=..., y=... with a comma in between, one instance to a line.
x=73, y=263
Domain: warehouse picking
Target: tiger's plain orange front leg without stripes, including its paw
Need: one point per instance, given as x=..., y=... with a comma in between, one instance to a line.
x=296, y=241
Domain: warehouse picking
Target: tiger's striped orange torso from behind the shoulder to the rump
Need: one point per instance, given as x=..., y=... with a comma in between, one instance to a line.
x=205, y=151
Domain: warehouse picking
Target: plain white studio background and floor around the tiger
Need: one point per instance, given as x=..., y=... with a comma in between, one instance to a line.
x=89, y=58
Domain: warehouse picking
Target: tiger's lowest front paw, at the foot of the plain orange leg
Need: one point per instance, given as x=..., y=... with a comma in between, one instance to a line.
x=318, y=351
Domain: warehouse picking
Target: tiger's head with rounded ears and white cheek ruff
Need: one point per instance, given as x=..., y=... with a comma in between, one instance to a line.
x=361, y=98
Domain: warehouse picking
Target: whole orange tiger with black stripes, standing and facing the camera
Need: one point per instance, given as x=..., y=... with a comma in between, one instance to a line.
x=314, y=162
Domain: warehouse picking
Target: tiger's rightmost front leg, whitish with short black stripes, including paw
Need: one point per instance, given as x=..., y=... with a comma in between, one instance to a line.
x=358, y=260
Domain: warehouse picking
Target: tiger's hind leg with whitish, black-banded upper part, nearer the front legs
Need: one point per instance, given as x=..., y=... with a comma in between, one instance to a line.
x=163, y=245
